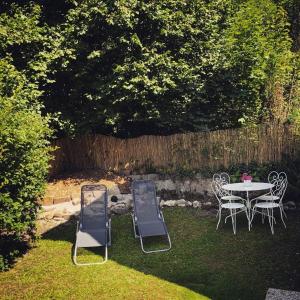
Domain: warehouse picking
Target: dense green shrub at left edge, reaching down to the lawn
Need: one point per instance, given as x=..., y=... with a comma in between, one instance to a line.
x=24, y=160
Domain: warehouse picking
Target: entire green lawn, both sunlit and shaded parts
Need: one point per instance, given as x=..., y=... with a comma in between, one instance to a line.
x=202, y=262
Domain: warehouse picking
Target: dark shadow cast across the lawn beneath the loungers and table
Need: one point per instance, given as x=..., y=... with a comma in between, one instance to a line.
x=214, y=263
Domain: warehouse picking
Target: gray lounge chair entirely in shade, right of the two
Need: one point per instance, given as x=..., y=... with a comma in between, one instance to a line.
x=147, y=218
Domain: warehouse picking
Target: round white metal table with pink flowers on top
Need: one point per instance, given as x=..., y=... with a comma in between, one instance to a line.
x=248, y=187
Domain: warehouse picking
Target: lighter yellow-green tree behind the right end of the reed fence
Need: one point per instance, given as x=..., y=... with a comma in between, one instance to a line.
x=256, y=68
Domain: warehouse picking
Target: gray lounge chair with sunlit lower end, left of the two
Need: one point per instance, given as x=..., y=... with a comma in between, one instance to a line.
x=94, y=226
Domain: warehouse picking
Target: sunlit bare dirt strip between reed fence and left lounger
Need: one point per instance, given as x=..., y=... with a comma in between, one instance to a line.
x=67, y=186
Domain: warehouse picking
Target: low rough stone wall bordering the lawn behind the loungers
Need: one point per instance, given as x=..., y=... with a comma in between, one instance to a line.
x=195, y=193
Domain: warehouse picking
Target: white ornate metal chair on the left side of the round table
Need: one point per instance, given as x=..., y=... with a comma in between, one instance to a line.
x=226, y=200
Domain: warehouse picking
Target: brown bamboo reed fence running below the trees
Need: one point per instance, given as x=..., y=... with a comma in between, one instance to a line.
x=201, y=150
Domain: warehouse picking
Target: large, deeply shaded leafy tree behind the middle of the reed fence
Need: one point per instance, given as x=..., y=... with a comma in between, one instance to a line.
x=135, y=66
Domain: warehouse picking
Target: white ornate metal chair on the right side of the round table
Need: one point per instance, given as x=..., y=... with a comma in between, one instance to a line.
x=266, y=203
